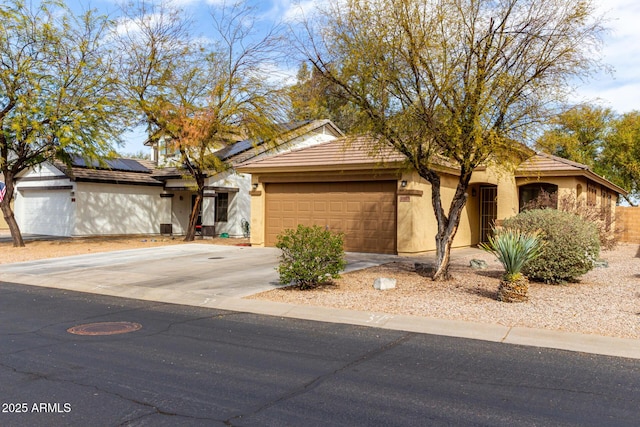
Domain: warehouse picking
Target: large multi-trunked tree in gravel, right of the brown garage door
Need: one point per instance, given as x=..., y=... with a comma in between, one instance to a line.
x=452, y=80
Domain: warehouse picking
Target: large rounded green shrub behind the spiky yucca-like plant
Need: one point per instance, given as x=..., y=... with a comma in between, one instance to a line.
x=571, y=244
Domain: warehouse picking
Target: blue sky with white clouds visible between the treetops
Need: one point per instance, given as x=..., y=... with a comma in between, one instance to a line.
x=619, y=89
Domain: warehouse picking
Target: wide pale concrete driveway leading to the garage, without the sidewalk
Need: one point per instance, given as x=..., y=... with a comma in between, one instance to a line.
x=194, y=273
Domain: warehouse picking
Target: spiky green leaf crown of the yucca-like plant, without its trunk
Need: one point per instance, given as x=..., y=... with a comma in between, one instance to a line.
x=514, y=248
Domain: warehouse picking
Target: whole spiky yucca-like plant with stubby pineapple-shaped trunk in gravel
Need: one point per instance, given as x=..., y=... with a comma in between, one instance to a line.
x=514, y=249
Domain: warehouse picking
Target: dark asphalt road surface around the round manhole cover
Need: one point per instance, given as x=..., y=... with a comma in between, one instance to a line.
x=198, y=366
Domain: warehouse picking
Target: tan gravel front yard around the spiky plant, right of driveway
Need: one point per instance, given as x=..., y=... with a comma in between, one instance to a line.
x=606, y=301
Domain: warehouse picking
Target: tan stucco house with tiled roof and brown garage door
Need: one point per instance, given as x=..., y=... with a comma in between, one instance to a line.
x=383, y=206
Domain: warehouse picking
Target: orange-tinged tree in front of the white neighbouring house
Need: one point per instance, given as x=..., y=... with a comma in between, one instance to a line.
x=198, y=95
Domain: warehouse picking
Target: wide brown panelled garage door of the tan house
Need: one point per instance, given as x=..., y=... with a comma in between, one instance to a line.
x=364, y=211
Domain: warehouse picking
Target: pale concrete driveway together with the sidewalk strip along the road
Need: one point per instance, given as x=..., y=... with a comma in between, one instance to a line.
x=219, y=276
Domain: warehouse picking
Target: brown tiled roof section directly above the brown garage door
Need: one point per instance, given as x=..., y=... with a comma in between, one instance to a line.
x=349, y=153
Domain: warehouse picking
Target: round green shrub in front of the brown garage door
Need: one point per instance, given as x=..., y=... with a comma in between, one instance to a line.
x=310, y=255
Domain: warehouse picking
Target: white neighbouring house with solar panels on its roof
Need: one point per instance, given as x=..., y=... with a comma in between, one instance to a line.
x=131, y=196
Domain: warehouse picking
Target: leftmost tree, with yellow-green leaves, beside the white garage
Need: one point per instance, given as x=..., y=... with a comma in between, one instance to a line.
x=57, y=96
